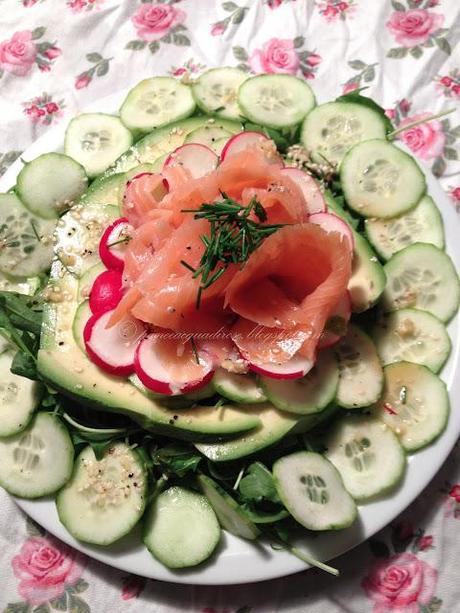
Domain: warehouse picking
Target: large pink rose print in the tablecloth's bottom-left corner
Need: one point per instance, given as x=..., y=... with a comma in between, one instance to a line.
x=44, y=568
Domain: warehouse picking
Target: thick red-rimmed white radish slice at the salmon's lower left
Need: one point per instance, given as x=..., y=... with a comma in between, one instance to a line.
x=113, y=349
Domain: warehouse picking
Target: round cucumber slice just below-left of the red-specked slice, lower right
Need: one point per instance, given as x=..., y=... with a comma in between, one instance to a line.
x=367, y=454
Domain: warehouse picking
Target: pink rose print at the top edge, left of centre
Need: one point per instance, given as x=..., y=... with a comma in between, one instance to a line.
x=153, y=21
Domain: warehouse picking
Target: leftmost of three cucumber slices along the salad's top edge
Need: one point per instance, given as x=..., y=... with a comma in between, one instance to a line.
x=155, y=102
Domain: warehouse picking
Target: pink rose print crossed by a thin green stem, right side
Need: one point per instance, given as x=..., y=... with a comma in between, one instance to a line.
x=426, y=140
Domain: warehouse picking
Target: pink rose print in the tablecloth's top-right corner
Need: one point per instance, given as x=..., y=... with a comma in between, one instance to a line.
x=413, y=27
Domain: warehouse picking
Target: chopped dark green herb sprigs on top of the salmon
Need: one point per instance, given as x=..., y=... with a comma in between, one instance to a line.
x=232, y=238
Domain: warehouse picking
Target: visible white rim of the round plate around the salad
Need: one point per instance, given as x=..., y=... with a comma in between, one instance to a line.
x=239, y=561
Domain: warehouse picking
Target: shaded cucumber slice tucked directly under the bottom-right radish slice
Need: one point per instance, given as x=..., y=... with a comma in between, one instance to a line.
x=310, y=394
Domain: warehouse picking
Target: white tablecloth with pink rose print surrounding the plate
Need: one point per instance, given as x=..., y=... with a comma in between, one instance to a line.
x=56, y=56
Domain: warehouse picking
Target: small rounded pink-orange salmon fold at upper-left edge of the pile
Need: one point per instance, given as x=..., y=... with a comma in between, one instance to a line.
x=143, y=193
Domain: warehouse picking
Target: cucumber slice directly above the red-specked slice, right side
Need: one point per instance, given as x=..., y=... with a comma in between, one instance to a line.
x=413, y=336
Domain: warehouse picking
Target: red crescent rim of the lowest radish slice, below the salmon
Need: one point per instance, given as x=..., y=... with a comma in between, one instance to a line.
x=163, y=386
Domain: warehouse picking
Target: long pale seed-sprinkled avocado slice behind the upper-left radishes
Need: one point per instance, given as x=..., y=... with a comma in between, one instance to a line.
x=164, y=140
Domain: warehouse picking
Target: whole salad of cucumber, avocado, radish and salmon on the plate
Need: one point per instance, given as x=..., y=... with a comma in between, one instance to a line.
x=224, y=308
